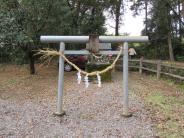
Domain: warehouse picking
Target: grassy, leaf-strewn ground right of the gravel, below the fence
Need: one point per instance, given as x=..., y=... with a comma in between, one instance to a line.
x=164, y=100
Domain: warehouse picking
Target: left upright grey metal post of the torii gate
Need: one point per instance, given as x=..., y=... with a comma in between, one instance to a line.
x=59, y=110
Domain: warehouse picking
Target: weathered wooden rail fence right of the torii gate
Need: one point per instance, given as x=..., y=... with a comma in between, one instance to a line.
x=159, y=65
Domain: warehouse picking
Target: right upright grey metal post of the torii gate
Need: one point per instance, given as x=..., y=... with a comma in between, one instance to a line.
x=125, y=80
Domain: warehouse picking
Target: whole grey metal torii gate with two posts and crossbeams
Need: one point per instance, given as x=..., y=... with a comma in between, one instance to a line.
x=85, y=39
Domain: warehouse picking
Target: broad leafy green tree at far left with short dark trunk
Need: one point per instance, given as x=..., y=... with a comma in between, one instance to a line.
x=24, y=21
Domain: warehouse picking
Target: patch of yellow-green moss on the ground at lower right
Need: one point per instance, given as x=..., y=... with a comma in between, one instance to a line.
x=166, y=105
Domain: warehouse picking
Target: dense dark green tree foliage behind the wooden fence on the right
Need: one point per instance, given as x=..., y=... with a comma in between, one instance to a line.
x=163, y=25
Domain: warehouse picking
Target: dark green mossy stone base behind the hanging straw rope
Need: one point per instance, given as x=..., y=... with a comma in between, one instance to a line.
x=98, y=67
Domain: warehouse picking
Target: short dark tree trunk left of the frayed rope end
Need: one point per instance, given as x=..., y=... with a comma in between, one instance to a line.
x=31, y=62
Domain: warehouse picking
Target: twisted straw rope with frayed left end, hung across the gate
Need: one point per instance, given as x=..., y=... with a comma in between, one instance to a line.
x=50, y=53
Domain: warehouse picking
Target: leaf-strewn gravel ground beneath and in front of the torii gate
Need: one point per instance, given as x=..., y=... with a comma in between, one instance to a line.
x=93, y=112
